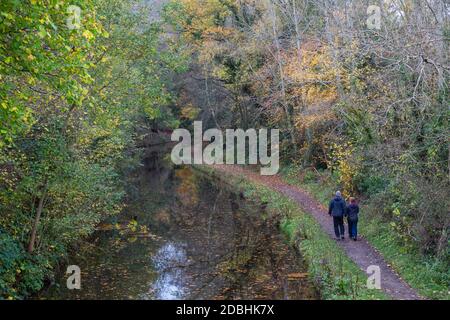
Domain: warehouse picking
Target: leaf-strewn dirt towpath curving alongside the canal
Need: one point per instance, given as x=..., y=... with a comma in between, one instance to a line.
x=361, y=252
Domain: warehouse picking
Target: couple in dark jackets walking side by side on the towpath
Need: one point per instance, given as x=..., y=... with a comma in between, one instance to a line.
x=339, y=210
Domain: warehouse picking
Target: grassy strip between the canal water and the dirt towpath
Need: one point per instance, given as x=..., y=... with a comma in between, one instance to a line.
x=333, y=273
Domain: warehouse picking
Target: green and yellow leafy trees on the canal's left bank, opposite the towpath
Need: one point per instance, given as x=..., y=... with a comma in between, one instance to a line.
x=73, y=100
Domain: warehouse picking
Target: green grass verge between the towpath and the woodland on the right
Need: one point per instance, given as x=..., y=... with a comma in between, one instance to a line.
x=429, y=276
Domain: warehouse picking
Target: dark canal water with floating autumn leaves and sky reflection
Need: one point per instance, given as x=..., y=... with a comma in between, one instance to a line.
x=183, y=235
